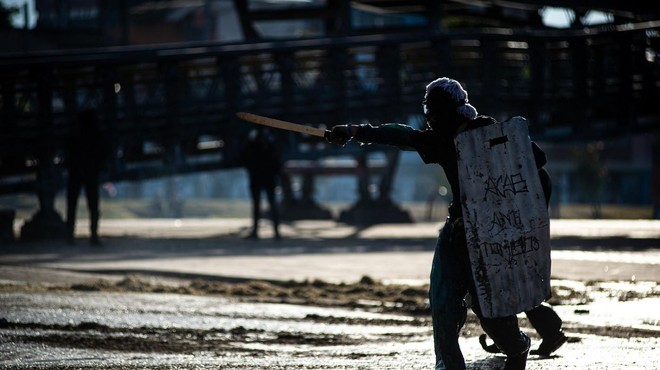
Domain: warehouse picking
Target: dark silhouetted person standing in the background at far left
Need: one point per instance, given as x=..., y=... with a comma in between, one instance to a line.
x=85, y=162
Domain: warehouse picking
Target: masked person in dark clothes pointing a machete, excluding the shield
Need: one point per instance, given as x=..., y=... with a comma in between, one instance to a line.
x=447, y=113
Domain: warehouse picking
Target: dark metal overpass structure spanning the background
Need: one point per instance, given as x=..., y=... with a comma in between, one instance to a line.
x=170, y=109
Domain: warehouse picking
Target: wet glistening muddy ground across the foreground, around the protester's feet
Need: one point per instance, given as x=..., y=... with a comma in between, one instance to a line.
x=137, y=323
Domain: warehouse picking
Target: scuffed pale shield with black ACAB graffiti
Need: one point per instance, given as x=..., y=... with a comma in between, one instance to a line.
x=505, y=216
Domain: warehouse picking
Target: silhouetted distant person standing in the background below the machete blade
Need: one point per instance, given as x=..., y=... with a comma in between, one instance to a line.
x=262, y=160
